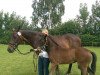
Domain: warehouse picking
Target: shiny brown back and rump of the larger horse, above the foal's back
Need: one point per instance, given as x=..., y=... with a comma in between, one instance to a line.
x=67, y=41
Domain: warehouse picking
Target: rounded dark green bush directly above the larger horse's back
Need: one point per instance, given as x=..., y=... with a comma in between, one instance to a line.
x=67, y=27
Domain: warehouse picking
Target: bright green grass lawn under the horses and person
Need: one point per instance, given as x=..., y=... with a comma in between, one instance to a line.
x=16, y=64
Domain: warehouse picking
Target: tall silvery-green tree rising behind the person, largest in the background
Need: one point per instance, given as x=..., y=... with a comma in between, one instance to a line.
x=47, y=13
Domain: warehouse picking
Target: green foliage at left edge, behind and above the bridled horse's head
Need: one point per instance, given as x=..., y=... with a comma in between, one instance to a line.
x=8, y=22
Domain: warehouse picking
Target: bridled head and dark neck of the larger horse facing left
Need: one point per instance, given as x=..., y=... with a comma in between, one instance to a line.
x=35, y=39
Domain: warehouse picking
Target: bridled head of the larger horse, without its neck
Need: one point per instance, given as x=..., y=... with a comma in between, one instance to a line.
x=14, y=42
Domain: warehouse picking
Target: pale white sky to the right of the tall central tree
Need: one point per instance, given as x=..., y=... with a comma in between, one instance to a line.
x=72, y=8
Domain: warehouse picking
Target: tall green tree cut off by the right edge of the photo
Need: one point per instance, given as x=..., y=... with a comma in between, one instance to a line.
x=95, y=18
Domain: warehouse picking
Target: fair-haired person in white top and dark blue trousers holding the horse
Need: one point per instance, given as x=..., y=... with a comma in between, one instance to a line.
x=43, y=59
